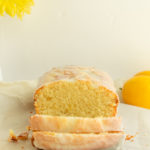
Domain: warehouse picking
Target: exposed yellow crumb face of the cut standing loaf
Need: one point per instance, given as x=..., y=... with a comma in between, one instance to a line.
x=78, y=98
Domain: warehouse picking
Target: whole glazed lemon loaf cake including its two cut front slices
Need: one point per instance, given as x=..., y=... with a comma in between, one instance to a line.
x=76, y=109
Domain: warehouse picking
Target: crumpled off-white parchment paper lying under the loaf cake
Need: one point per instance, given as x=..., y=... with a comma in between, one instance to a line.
x=16, y=106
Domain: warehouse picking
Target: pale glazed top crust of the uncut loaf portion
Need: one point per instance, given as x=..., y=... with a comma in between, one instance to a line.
x=73, y=73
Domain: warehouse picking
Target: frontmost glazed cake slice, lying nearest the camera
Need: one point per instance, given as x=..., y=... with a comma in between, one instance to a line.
x=69, y=141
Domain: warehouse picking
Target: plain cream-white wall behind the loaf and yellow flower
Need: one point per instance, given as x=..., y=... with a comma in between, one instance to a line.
x=112, y=35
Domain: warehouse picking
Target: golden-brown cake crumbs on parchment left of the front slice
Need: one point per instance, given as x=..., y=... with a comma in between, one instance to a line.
x=13, y=138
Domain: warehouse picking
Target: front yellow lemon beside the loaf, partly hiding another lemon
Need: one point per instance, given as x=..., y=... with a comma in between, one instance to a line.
x=136, y=91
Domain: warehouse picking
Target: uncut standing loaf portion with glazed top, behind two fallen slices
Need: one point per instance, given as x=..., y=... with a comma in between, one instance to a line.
x=77, y=92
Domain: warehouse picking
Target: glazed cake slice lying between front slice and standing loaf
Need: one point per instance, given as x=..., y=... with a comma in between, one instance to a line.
x=63, y=124
